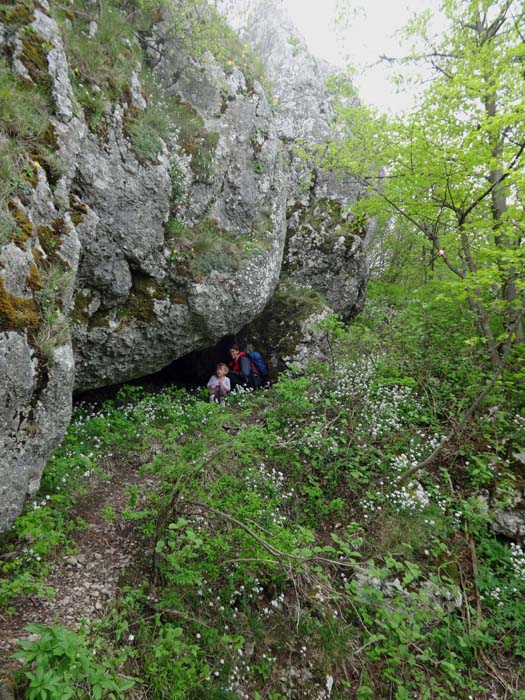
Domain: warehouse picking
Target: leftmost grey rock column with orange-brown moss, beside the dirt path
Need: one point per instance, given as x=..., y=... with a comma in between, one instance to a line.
x=38, y=269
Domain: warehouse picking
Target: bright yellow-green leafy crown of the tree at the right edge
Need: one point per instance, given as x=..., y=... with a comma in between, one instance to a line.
x=454, y=168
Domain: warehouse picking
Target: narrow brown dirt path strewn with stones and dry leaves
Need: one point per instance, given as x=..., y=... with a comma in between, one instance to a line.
x=86, y=581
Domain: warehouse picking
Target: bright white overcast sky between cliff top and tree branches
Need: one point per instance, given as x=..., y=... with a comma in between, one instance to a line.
x=371, y=33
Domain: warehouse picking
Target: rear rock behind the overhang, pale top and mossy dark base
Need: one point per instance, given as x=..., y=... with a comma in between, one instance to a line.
x=325, y=267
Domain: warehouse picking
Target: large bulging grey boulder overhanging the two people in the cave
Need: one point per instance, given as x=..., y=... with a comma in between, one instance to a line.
x=144, y=298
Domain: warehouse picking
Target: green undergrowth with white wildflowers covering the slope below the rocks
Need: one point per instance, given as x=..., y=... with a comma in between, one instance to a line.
x=265, y=549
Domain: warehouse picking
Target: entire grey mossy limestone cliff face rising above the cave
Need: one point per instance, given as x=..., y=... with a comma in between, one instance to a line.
x=123, y=256
